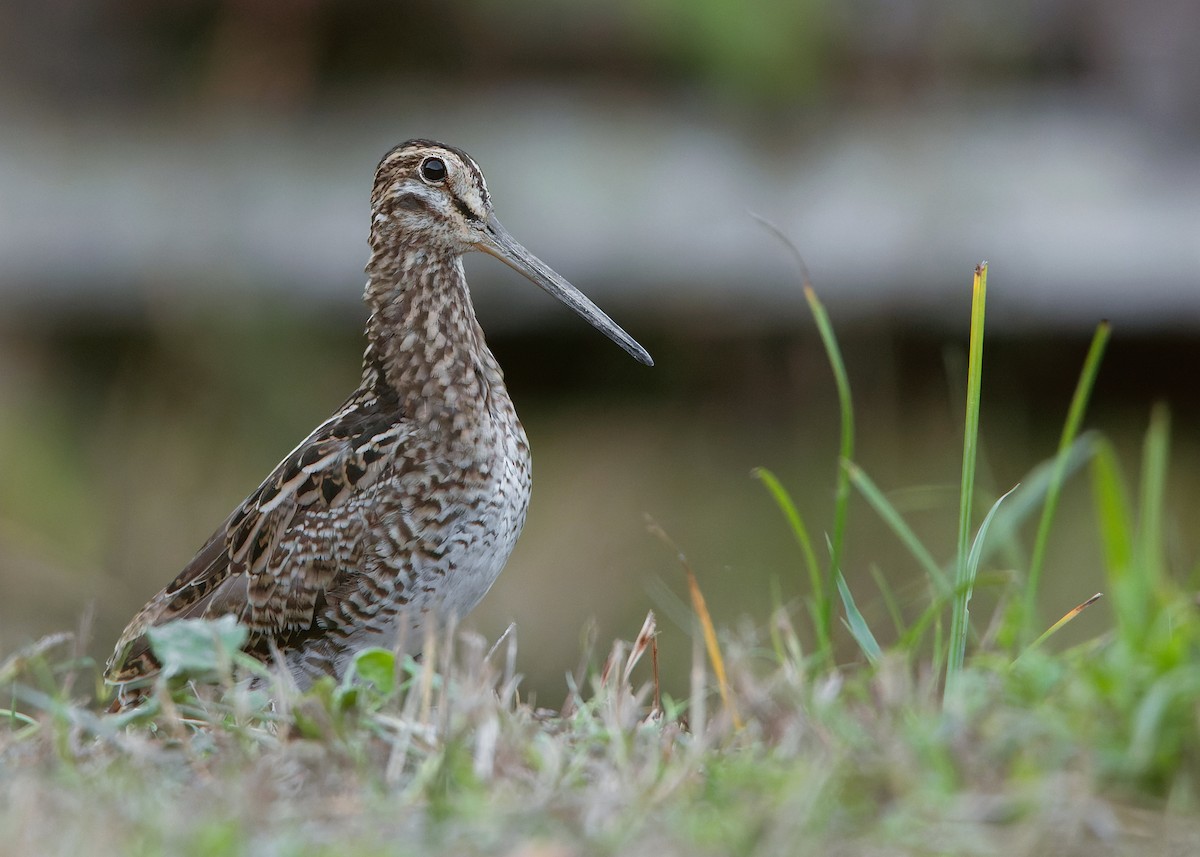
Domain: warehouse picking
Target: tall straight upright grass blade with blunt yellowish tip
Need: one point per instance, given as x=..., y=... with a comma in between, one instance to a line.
x=970, y=454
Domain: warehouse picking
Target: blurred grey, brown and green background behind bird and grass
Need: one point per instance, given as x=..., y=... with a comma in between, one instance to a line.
x=184, y=194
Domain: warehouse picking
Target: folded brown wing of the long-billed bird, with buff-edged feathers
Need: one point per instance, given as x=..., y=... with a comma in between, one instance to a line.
x=271, y=564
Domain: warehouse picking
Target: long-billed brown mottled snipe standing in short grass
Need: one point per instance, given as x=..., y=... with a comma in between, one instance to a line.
x=401, y=510
